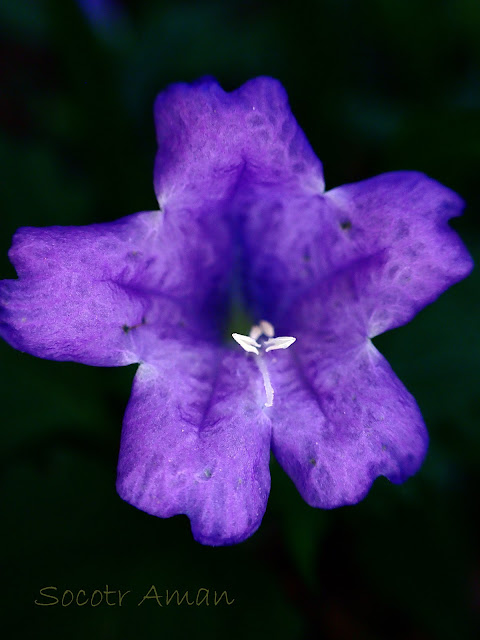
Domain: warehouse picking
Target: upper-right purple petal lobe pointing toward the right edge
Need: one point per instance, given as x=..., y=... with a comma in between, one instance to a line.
x=404, y=216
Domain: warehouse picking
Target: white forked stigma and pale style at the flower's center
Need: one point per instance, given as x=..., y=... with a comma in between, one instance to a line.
x=260, y=341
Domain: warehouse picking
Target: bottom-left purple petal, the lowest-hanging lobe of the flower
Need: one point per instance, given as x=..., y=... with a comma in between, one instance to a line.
x=196, y=441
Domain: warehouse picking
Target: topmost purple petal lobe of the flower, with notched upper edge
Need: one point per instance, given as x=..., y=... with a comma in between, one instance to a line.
x=210, y=141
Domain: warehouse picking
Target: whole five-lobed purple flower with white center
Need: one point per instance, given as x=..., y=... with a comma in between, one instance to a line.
x=244, y=218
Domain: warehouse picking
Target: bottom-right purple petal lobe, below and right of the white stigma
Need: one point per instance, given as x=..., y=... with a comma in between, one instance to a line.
x=339, y=423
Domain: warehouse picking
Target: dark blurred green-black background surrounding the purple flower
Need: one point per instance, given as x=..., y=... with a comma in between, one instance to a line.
x=377, y=86
